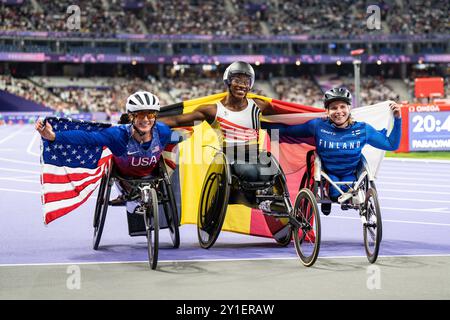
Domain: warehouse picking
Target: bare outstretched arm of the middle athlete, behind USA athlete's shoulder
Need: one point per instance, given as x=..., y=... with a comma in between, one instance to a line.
x=202, y=113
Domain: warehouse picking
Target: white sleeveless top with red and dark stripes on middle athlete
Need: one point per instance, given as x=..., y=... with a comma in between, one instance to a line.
x=238, y=127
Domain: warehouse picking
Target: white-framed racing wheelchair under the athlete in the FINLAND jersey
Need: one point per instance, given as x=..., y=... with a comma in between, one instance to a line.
x=361, y=196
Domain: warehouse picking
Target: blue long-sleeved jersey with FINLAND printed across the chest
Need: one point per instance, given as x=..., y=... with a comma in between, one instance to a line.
x=340, y=149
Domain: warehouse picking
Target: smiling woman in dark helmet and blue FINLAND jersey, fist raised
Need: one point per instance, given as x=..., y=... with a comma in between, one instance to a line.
x=339, y=139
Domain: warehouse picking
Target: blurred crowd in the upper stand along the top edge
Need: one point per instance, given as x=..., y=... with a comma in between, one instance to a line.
x=336, y=18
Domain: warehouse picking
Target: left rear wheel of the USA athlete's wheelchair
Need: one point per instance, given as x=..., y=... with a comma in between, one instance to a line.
x=101, y=208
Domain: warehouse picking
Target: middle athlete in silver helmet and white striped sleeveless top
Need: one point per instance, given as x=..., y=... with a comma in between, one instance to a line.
x=236, y=120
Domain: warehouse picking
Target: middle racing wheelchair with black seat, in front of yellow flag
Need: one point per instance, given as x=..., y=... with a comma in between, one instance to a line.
x=222, y=187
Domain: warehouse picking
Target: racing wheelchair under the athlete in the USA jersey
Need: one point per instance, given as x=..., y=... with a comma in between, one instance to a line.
x=149, y=193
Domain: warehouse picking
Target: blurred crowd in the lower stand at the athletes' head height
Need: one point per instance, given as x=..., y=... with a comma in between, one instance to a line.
x=78, y=97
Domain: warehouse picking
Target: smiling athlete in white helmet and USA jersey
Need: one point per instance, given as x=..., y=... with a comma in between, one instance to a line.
x=136, y=147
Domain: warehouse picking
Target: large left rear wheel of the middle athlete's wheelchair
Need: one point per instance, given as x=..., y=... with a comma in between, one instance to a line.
x=213, y=201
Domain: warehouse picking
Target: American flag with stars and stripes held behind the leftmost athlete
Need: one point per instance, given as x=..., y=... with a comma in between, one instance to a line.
x=70, y=172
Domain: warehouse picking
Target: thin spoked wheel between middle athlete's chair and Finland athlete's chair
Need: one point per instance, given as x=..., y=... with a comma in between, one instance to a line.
x=307, y=238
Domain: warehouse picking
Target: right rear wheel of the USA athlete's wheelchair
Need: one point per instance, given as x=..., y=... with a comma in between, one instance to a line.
x=171, y=213
